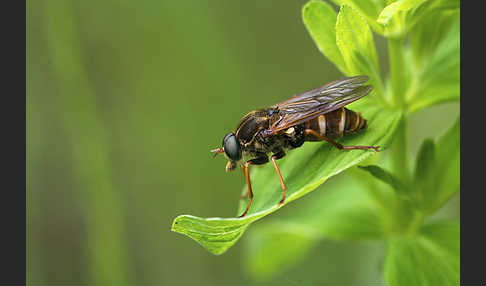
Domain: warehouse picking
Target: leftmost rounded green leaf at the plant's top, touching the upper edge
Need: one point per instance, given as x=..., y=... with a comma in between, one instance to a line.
x=320, y=21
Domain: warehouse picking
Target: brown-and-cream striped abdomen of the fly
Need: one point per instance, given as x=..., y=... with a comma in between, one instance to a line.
x=336, y=124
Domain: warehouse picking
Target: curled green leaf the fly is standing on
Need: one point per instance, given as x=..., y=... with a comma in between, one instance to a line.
x=303, y=169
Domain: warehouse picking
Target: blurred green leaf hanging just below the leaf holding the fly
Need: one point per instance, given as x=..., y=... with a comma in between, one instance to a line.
x=344, y=211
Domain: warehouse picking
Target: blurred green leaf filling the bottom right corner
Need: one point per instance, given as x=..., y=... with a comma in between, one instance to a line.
x=429, y=258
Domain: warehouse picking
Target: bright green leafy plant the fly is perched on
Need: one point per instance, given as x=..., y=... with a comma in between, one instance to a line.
x=384, y=200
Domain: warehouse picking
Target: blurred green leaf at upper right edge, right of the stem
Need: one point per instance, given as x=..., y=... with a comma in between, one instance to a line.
x=439, y=80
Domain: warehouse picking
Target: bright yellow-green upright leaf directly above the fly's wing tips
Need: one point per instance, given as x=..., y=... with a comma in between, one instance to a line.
x=355, y=41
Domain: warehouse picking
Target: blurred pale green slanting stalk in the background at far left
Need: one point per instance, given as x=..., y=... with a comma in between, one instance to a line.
x=81, y=119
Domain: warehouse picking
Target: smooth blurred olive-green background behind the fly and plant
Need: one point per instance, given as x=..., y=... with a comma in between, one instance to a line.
x=124, y=101
